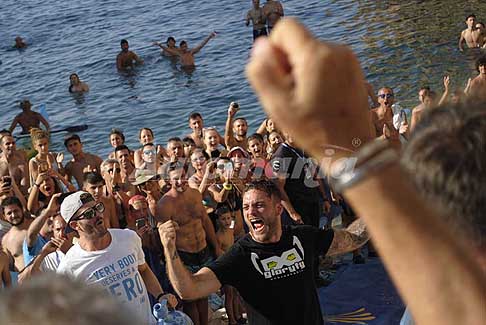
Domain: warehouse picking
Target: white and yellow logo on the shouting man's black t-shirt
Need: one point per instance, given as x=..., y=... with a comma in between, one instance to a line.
x=291, y=262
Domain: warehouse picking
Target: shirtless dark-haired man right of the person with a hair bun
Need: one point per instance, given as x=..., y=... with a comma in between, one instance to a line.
x=74, y=168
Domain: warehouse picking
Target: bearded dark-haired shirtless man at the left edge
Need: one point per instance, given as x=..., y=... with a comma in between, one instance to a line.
x=13, y=240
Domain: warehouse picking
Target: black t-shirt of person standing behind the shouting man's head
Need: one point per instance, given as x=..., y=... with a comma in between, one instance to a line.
x=300, y=185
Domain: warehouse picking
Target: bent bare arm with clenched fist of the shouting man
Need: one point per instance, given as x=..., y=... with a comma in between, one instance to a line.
x=188, y=286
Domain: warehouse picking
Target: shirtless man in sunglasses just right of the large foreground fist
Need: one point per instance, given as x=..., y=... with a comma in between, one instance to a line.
x=382, y=116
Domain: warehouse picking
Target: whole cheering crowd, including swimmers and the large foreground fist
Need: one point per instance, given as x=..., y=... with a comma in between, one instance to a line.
x=240, y=214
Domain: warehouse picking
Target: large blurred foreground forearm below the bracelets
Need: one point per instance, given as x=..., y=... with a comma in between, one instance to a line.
x=410, y=237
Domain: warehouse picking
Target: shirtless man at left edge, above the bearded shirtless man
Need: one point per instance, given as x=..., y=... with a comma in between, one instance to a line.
x=13, y=163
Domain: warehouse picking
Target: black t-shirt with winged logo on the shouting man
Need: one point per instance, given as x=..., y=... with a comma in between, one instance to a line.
x=277, y=279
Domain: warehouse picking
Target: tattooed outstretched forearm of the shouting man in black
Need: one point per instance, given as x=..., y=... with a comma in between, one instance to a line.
x=350, y=239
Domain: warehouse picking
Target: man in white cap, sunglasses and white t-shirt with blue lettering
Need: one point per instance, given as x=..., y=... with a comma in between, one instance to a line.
x=111, y=258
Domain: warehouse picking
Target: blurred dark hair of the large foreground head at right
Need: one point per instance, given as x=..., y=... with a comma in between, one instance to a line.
x=450, y=173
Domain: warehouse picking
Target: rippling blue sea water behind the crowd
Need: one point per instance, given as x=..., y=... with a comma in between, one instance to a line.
x=402, y=44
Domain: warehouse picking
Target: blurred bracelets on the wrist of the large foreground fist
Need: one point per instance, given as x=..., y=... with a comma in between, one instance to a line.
x=372, y=158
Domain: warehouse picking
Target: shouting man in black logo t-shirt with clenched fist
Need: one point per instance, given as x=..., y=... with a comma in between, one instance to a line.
x=271, y=267
